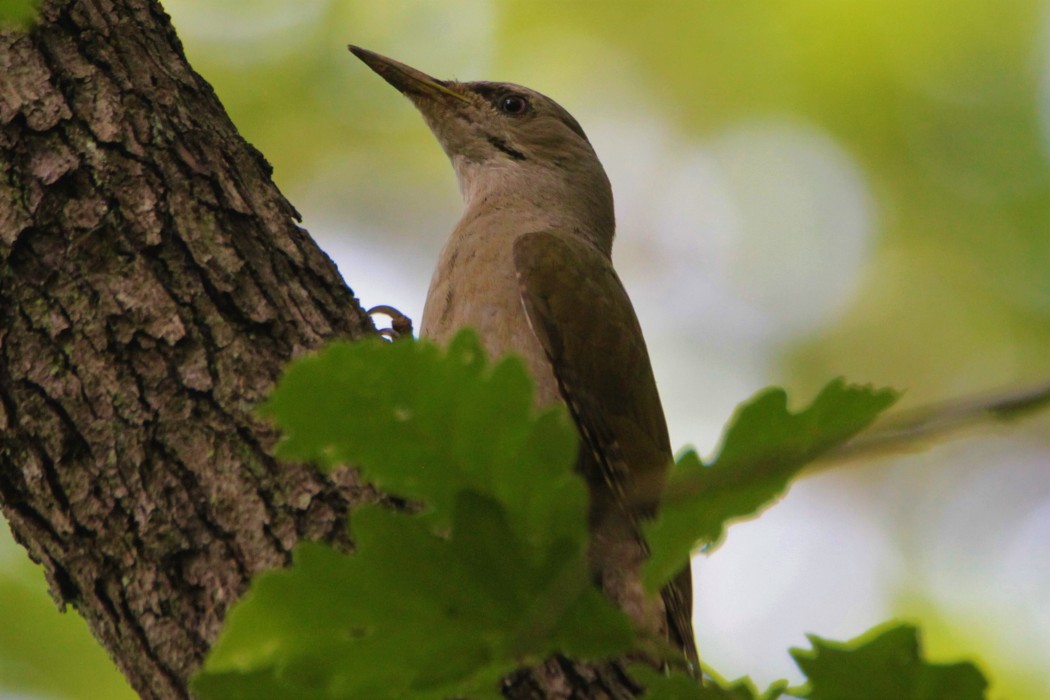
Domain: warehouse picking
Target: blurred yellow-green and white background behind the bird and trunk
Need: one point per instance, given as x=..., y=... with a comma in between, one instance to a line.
x=806, y=189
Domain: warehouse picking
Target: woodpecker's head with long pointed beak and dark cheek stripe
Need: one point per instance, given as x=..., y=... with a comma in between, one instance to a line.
x=506, y=139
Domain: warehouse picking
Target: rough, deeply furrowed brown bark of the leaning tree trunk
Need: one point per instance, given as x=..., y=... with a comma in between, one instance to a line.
x=153, y=285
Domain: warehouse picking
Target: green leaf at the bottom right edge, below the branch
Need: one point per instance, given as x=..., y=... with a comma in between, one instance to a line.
x=885, y=663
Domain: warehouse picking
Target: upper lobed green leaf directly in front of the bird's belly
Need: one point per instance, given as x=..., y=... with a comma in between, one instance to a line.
x=426, y=423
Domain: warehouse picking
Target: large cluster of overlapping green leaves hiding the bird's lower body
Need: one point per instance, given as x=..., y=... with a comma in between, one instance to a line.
x=490, y=576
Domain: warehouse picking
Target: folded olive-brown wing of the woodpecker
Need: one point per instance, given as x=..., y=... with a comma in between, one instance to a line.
x=583, y=319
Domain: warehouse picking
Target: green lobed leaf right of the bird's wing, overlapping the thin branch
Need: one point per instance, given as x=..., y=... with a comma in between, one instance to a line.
x=765, y=449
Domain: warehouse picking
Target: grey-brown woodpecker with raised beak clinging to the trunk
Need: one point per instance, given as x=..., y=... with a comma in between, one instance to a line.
x=530, y=267
